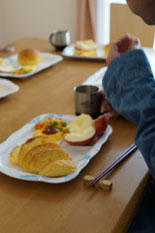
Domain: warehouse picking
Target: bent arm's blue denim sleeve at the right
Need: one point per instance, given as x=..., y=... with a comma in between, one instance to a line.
x=130, y=87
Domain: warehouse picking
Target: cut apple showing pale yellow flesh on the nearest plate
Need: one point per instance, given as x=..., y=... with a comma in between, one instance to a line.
x=81, y=131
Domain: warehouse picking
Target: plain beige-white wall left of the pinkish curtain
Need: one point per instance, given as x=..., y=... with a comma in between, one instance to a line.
x=36, y=18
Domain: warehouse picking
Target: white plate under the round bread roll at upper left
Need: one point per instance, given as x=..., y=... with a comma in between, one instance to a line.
x=47, y=61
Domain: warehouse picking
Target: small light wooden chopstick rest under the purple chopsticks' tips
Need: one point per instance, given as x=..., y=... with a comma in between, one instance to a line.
x=103, y=184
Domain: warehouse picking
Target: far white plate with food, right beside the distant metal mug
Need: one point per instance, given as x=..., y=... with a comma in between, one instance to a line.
x=69, y=52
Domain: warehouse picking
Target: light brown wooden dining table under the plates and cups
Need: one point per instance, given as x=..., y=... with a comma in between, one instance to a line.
x=69, y=207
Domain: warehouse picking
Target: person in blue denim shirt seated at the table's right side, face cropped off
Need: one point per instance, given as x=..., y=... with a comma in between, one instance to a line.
x=129, y=87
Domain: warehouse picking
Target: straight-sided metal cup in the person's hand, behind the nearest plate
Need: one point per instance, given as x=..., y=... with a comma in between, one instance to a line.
x=88, y=100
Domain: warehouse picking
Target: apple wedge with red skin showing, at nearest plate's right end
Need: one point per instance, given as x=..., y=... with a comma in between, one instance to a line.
x=101, y=124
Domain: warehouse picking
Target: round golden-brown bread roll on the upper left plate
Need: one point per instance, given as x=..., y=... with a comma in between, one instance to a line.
x=29, y=57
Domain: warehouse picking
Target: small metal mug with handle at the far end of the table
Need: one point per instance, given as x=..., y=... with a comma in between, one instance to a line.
x=60, y=39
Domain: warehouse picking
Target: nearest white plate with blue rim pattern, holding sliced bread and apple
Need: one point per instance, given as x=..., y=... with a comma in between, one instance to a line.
x=81, y=155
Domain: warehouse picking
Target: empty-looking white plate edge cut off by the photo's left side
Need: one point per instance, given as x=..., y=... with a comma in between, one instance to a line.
x=7, y=87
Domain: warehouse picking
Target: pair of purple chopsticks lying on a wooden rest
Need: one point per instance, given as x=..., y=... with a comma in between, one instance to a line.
x=127, y=152
